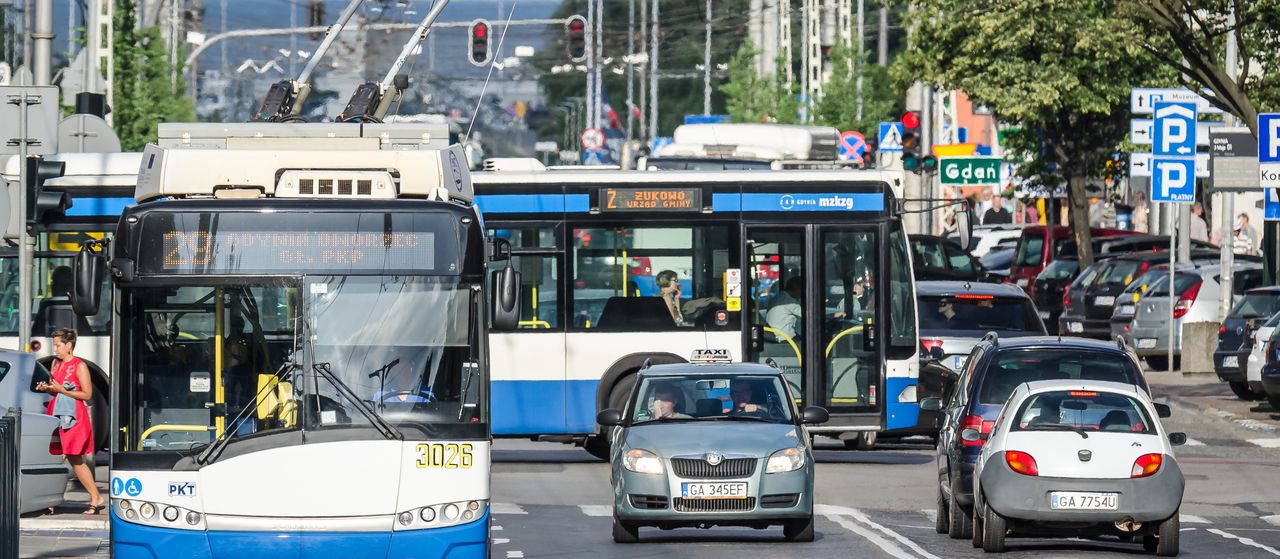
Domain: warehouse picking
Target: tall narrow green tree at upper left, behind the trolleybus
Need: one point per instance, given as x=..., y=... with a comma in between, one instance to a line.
x=145, y=90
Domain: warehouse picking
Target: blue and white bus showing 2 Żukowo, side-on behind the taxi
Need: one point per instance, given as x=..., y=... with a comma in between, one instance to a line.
x=596, y=248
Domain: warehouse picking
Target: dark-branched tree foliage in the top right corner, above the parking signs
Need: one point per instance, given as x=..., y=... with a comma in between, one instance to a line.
x=1190, y=36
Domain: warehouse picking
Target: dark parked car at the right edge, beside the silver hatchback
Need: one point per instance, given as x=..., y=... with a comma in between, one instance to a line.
x=1236, y=338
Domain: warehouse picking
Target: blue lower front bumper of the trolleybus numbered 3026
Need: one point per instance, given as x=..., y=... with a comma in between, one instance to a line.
x=139, y=542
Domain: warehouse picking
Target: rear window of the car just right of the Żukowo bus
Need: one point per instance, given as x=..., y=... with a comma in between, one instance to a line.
x=976, y=313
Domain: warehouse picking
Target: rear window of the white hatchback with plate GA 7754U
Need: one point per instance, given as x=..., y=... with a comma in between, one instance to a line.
x=1084, y=410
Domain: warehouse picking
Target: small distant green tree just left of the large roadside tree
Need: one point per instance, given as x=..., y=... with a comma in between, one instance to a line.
x=839, y=104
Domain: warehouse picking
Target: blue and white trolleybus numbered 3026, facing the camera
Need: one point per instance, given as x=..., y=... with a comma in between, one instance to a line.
x=300, y=347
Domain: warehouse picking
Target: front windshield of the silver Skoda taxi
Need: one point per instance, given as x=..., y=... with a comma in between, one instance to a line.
x=712, y=398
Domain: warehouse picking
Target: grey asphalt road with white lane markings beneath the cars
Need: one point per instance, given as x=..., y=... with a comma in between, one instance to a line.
x=554, y=501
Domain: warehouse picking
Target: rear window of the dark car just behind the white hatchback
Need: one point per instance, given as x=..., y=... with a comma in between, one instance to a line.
x=1013, y=368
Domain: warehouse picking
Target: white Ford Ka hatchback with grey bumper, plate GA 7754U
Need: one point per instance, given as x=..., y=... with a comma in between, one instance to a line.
x=1085, y=460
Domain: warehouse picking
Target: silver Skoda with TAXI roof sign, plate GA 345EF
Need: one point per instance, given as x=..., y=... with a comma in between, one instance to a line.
x=702, y=446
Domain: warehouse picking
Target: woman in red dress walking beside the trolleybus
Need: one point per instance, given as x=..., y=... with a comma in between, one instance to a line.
x=71, y=378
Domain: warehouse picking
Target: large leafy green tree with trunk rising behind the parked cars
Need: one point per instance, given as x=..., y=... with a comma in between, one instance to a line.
x=1060, y=68
